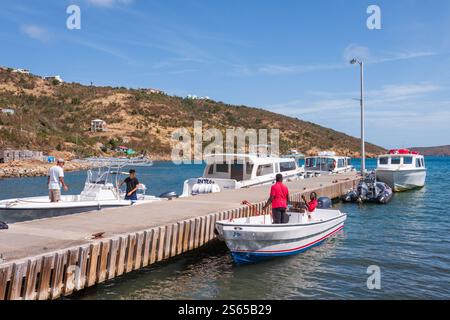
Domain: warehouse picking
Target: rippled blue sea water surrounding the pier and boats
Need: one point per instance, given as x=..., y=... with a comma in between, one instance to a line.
x=408, y=239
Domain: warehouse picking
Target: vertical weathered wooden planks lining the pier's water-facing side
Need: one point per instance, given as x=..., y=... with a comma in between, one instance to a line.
x=60, y=273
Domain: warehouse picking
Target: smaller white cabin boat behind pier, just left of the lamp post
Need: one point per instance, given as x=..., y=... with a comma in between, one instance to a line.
x=327, y=163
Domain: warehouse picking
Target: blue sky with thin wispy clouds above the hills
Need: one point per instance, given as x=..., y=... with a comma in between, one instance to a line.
x=289, y=57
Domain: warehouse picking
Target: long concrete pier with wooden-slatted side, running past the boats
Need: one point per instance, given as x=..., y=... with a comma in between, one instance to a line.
x=50, y=258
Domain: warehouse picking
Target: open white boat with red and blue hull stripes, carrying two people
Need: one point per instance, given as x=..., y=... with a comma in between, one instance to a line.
x=256, y=238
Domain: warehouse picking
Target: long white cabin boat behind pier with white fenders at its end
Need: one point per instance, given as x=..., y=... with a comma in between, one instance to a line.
x=236, y=171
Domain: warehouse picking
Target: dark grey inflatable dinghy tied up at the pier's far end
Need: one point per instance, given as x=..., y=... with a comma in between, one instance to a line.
x=370, y=190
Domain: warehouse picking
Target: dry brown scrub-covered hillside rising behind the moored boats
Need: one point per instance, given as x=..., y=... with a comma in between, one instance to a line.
x=51, y=116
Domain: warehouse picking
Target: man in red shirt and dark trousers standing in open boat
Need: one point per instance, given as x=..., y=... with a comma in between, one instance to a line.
x=279, y=198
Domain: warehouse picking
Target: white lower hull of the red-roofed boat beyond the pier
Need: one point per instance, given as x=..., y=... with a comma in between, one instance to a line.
x=402, y=180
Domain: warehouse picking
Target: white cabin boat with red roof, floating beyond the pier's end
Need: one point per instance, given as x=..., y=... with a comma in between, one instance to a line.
x=402, y=170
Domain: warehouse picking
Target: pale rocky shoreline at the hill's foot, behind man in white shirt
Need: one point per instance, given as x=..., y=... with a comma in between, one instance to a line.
x=19, y=169
